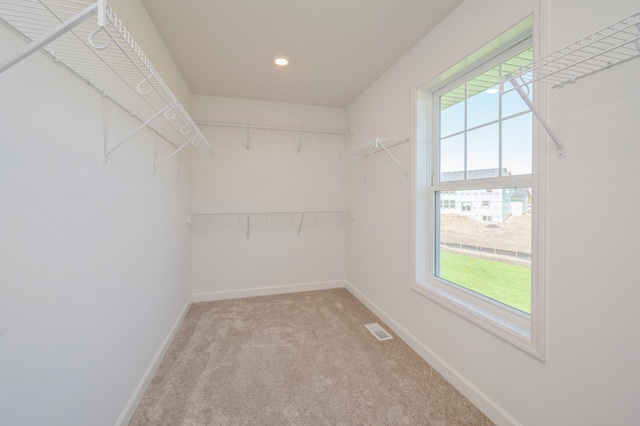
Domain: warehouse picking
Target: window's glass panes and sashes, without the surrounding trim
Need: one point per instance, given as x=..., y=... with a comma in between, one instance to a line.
x=484, y=136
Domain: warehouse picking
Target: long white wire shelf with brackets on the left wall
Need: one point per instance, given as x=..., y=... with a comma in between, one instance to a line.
x=91, y=41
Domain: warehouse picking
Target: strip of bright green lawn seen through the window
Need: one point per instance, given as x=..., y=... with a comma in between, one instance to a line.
x=508, y=284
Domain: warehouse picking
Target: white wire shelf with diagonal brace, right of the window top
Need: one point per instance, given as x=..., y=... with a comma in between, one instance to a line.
x=613, y=45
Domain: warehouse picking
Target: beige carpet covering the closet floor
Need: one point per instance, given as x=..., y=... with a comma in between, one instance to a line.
x=295, y=359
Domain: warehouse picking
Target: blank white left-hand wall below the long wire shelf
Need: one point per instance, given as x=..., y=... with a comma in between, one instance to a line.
x=94, y=259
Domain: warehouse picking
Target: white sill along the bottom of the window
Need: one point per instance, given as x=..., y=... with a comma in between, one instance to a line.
x=509, y=324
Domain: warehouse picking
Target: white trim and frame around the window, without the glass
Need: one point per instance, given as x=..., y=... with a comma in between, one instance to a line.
x=523, y=331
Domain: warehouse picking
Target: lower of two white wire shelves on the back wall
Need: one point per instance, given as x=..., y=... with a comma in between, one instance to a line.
x=294, y=220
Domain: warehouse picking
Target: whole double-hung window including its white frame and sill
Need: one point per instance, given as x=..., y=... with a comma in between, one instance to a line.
x=480, y=259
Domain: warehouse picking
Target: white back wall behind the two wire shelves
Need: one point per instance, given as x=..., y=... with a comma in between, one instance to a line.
x=272, y=177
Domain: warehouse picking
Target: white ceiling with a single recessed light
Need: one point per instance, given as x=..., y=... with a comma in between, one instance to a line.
x=337, y=48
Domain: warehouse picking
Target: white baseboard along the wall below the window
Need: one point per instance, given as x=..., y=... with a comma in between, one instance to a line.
x=485, y=404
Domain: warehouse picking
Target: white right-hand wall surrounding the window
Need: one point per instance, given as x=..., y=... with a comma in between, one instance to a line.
x=590, y=376
